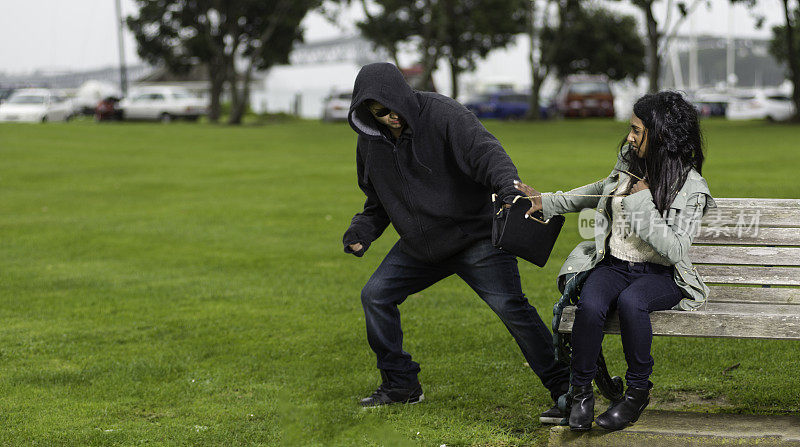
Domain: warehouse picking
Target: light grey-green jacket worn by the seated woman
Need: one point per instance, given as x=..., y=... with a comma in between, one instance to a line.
x=670, y=237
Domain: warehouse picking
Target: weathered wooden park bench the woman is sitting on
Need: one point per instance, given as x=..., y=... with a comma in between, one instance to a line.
x=748, y=253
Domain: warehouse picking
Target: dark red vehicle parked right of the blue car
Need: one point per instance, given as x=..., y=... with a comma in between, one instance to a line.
x=585, y=95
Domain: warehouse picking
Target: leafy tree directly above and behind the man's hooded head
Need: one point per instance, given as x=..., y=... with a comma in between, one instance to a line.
x=461, y=31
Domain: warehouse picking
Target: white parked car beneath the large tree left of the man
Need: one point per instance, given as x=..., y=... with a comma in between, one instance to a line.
x=162, y=103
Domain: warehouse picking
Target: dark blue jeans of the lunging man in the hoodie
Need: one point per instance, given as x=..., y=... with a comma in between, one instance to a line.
x=493, y=274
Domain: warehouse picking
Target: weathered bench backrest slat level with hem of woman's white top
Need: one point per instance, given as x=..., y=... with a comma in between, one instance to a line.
x=706, y=254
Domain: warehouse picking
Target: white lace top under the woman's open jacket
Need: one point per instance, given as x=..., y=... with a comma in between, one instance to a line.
x=624, y=243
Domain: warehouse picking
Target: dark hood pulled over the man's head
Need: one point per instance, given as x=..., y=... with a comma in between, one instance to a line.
x=382, y=82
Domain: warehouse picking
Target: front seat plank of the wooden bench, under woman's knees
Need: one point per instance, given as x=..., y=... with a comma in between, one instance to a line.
x=707, y=324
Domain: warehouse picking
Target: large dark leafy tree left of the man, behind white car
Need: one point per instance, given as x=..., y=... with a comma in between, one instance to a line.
x=231, y=37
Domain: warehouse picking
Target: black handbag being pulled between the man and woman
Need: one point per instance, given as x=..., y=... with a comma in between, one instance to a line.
x=529, y=239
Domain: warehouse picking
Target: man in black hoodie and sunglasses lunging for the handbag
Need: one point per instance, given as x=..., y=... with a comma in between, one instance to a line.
x=429, y=167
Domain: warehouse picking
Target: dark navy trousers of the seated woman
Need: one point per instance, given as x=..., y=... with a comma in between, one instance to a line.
x=634, y=289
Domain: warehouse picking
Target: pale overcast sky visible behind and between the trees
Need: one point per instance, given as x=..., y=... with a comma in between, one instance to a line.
x=82, y=34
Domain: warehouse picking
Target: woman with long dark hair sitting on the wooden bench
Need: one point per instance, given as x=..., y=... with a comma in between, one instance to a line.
x=647, y=212
